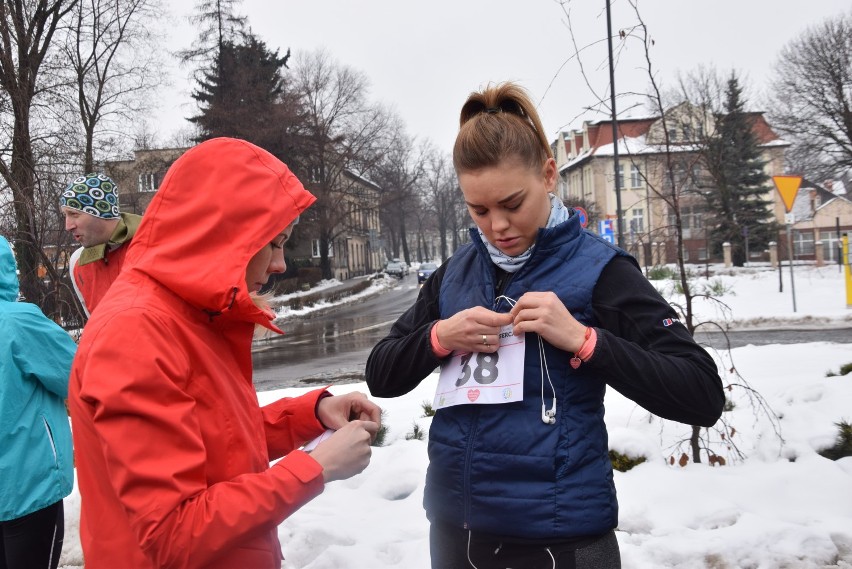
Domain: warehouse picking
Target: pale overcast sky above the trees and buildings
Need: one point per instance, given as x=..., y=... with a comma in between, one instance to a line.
x=423, y=58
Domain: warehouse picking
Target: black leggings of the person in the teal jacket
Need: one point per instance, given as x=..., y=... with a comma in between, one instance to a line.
x=33, y=541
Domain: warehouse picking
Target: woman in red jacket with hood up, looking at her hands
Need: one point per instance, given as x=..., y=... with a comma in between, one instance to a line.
x=172, y=449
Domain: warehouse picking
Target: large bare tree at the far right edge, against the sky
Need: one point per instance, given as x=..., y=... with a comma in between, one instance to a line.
x=812, y=99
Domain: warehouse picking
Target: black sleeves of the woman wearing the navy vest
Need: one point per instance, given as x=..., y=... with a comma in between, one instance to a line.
x=642, y=351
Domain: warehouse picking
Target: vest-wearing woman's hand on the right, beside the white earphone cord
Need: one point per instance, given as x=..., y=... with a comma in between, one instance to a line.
x=544, y=314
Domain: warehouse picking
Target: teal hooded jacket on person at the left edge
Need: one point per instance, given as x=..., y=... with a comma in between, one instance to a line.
x=36, y=463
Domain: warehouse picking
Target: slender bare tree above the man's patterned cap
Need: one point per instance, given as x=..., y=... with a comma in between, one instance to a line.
x=113, y=54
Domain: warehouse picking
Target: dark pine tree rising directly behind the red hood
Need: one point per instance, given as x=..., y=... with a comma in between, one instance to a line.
x=243, y=95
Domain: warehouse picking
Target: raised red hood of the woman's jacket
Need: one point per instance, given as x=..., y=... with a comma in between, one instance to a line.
x=219, y=204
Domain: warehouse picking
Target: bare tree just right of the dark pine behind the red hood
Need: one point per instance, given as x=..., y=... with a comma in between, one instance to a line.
x=343, y=137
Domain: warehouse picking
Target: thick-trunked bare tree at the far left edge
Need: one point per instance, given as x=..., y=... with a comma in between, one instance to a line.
x=27, y=31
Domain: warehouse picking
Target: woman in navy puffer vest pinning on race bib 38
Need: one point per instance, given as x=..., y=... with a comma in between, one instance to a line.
x=530, y=322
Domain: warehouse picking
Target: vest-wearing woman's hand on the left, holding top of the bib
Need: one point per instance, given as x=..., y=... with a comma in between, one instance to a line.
x=475, y=329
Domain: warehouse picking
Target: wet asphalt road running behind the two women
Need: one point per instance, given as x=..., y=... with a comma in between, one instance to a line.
x=333, y=347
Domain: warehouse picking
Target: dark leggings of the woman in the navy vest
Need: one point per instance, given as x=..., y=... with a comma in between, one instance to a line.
x=453, y=548
